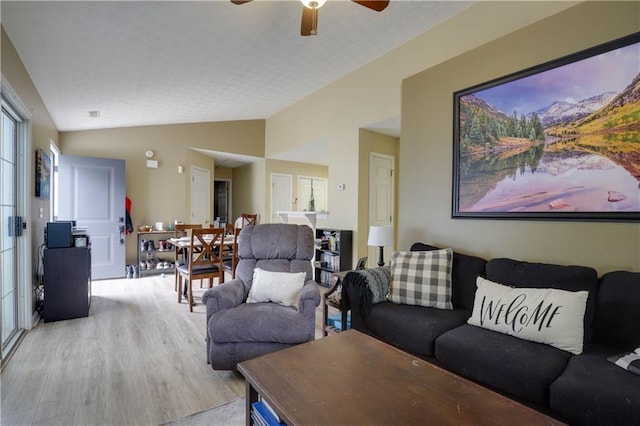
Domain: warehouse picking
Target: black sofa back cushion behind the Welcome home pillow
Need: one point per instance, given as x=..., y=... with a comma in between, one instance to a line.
x=517, y=273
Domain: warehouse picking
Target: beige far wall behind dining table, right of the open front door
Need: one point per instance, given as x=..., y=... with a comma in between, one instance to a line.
x=163, y=194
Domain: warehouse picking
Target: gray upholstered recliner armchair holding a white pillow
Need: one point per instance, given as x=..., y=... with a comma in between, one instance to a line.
x=237, y=330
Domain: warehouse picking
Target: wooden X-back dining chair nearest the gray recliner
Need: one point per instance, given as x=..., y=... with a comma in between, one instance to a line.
x=204, y=260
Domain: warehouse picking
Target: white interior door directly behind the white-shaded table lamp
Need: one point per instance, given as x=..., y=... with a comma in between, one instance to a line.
x=380, y=195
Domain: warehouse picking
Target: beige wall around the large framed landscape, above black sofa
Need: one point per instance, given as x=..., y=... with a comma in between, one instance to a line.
x=426, y=149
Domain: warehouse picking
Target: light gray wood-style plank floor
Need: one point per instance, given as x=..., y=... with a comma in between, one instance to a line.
x=138, y=359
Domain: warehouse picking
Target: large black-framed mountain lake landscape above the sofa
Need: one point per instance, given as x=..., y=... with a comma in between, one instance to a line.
x=557, y=141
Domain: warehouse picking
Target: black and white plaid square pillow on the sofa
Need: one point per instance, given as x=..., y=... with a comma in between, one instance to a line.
x=421, y=278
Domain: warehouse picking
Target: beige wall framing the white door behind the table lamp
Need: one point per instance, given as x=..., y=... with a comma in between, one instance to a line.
x=371, y=142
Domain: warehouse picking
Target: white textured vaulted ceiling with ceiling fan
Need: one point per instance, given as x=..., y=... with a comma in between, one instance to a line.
x=136, y=63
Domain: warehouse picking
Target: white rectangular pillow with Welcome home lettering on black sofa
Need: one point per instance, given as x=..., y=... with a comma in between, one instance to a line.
x=545, y=315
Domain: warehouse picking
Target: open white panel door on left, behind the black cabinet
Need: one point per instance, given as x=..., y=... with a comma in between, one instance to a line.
x=92, y=192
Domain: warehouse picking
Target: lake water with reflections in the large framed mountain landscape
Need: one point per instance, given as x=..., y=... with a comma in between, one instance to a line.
x=541, y=181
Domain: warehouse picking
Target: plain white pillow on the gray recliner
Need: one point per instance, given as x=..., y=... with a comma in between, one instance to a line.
x=276, y=287
